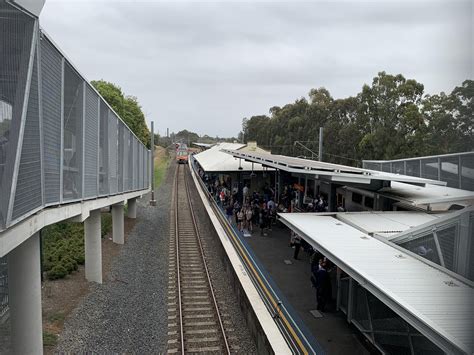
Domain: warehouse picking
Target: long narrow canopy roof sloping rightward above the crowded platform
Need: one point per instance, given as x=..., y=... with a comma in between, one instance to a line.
x=328, y=171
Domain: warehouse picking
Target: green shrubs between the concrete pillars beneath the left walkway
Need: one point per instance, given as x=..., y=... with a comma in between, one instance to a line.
x=63, y=246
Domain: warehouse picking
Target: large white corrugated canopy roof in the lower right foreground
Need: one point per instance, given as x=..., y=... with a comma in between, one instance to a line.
x=438, y=305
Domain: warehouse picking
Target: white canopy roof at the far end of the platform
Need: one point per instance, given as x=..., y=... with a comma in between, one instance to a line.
x=215, y=160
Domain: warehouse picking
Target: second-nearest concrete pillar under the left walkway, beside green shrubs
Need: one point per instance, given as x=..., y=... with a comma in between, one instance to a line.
x=93, y=247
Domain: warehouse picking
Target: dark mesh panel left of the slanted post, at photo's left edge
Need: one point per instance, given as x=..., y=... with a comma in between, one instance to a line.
x=16, y=31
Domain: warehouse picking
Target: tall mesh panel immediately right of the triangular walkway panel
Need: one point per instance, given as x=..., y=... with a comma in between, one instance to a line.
x=51, y=84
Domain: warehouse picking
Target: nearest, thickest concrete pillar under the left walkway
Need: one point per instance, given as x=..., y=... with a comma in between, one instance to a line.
x=24, y=288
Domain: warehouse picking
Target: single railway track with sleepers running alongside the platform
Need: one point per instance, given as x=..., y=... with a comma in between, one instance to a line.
x=195, y=322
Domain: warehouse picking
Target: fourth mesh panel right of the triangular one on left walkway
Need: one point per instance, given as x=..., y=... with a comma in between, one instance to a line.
x=104, y=149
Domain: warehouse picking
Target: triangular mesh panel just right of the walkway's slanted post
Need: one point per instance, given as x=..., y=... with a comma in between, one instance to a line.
x=28, y=194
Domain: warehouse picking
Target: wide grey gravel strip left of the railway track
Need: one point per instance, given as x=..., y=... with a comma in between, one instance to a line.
x=128, y=312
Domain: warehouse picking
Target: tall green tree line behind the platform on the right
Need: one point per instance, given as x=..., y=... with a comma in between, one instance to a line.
x=389, y=119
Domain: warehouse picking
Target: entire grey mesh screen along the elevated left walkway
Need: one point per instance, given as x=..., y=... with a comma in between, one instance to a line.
x=60, y=142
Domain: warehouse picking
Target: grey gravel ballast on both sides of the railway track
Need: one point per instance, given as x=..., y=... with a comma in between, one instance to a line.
x=128, y=312
